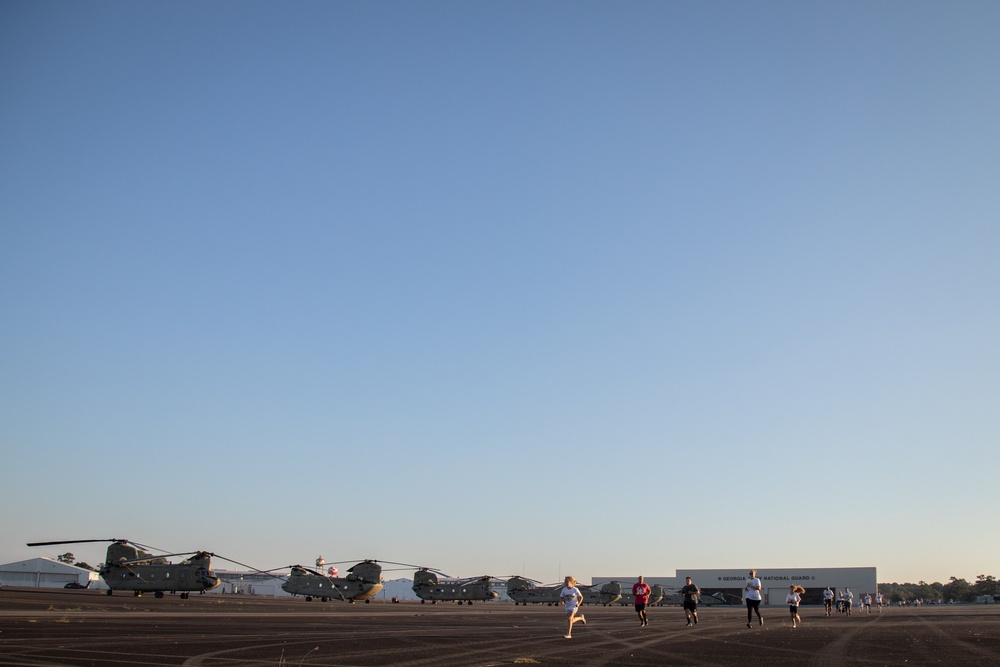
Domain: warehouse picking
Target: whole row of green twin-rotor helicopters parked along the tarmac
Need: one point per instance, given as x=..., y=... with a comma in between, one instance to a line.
x=126, y=568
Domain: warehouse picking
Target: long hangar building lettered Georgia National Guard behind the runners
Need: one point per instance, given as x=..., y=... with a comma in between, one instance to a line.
x=775, y=582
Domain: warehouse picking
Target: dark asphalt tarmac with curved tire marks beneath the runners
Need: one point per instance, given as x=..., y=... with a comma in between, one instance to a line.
x=48, y=628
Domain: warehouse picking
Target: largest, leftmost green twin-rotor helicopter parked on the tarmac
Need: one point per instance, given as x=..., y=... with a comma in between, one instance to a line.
x=126, y=568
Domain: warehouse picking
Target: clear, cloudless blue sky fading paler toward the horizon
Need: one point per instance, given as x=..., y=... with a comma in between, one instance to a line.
x=540, y=287
